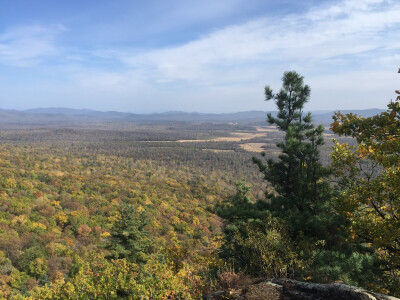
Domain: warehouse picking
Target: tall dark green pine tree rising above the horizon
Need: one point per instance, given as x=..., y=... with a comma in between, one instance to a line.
x=302, y=197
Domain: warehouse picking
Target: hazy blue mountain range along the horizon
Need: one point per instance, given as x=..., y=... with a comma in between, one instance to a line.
x=43, y=116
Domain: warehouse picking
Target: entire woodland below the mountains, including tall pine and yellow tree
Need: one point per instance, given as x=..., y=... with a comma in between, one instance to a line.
x=121, y=210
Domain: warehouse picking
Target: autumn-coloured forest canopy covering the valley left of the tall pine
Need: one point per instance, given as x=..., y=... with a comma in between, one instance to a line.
x=63, y=192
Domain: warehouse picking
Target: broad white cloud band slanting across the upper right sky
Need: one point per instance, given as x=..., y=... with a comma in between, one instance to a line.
x=350, y=28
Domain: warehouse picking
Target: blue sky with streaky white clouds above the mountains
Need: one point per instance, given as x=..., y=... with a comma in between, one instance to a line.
x=196, y=56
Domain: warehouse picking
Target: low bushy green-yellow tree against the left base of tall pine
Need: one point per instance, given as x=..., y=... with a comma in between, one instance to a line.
x=254, y=241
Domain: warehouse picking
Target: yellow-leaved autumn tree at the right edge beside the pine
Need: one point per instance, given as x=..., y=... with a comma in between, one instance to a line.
x=369, y=173
